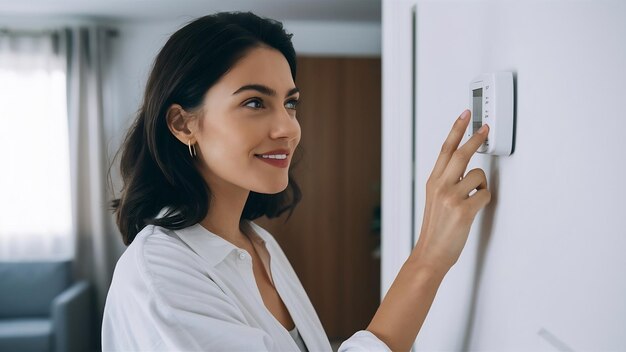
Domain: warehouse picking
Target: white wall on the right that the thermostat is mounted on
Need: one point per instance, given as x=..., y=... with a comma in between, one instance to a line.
x=543, y=269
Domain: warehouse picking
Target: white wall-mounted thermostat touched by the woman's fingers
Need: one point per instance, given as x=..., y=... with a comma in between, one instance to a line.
x=491, y=103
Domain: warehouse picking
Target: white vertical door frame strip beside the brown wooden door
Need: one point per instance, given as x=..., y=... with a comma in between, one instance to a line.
x=397, y=139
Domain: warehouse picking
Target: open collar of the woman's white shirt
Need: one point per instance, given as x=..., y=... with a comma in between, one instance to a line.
x=211, y=247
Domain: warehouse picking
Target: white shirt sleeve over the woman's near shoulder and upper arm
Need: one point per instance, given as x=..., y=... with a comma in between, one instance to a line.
x=162, y=300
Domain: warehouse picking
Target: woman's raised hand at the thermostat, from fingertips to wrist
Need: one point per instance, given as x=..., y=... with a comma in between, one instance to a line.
x=451, y=203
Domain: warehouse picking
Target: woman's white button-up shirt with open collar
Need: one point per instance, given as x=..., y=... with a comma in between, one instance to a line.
x=191, y=290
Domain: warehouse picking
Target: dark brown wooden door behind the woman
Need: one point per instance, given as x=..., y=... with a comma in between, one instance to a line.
x=331, y=237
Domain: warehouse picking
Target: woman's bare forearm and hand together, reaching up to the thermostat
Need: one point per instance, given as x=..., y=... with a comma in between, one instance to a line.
x=448, y=216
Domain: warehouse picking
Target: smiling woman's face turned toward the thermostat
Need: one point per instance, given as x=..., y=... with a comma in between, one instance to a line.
x=247, y=130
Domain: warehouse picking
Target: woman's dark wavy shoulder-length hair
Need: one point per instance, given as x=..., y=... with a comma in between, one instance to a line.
x=156, y=168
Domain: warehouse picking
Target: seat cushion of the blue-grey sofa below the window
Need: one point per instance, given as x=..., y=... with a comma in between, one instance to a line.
x=21, y=335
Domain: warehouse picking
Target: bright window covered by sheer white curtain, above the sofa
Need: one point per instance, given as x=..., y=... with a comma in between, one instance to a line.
x=35, y=207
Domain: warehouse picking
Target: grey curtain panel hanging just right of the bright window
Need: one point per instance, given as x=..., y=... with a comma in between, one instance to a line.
x=97, y=241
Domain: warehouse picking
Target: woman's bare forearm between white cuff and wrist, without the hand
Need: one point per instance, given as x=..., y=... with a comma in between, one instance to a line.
x=405, y=306
